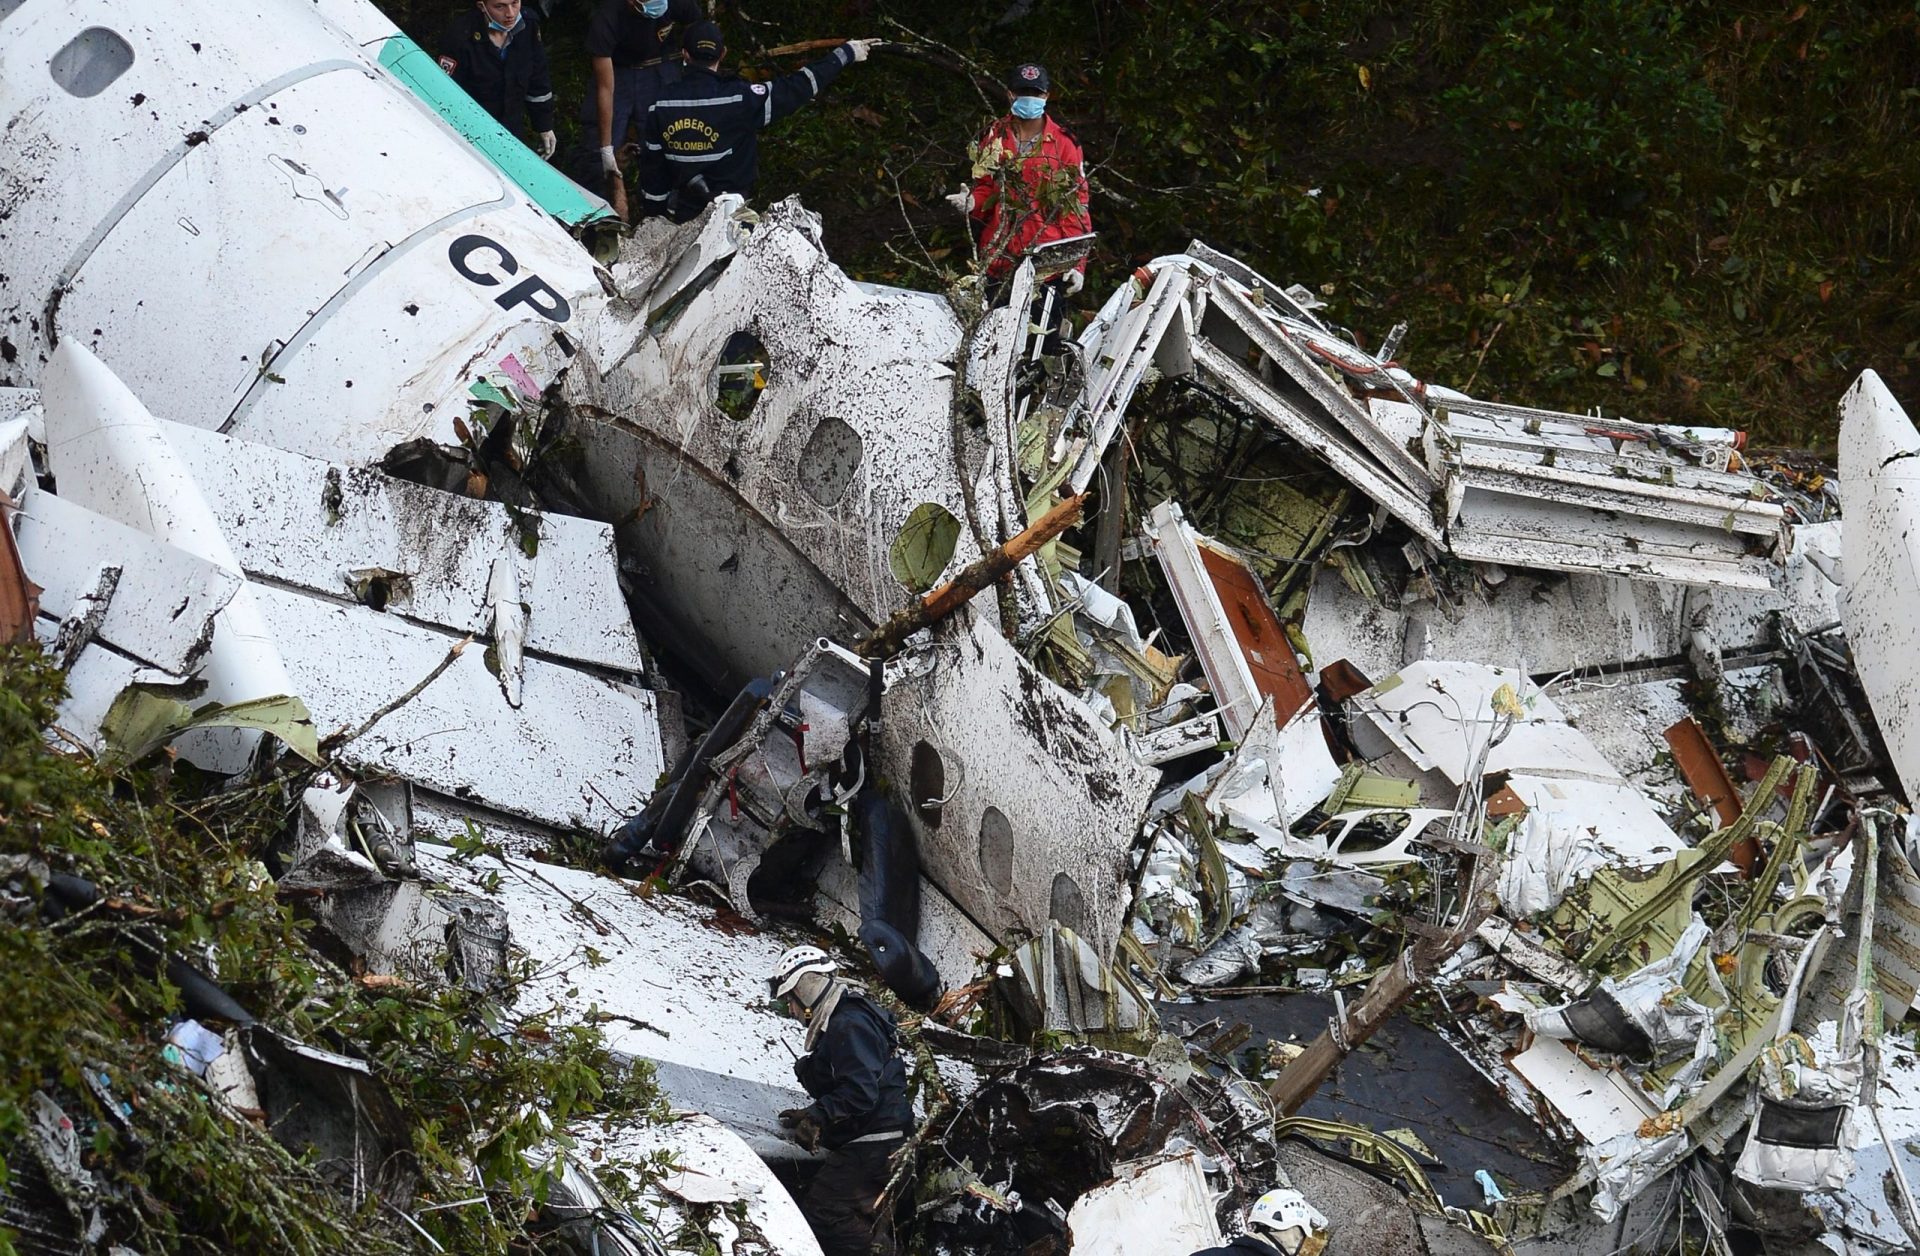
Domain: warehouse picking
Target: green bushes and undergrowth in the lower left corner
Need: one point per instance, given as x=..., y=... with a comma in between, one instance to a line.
x=485, y=1090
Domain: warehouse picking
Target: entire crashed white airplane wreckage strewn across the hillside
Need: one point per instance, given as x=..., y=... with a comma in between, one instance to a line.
x=1159, y=721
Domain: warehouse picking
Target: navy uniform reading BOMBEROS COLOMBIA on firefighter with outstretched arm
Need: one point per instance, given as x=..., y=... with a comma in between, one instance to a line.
x=709, y=126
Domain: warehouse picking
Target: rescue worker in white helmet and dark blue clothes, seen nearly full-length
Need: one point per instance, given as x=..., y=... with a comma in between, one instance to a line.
x=859, y=1103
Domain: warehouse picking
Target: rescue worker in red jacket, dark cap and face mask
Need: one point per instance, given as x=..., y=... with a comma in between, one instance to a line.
x=1032, y=187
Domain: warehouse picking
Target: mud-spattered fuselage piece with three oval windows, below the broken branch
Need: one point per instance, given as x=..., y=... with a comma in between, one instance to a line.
x=990, y=737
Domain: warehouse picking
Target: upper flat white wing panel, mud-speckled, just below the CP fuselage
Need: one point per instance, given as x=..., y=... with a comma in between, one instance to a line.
x=414, y=550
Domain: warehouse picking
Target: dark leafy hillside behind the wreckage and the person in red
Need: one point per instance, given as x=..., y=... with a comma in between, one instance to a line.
x=1679, y=212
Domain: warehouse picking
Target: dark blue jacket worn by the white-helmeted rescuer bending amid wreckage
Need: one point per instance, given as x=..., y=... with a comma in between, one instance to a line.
x=855, y=1076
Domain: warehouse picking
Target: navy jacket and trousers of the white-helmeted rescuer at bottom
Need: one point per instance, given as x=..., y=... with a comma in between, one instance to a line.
x=859, y=1090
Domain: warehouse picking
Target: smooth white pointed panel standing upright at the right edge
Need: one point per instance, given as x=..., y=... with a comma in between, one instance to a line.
x=1879, y=481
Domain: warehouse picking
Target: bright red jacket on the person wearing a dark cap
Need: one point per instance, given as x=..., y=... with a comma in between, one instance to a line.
x=1007, y=197
